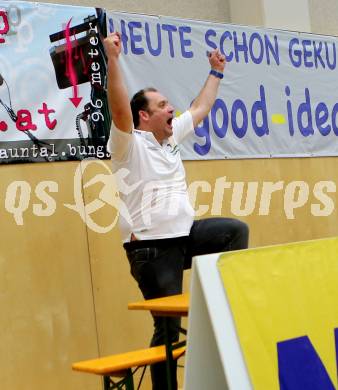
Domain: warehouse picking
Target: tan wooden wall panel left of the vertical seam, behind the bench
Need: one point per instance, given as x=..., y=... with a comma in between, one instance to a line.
x=47, y=312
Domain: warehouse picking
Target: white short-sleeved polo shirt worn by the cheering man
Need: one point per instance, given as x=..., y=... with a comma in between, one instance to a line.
x=154, y=201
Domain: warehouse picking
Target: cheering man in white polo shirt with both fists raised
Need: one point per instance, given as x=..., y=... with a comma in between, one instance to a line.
x=160, y=235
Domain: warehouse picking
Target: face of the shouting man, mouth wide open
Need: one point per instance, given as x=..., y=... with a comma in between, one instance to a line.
x=160, y=115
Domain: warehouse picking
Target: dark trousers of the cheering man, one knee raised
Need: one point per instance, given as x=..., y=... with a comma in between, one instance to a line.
x=158, y=265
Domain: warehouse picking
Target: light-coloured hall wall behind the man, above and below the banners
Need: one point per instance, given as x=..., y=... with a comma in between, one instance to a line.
x=64, y=288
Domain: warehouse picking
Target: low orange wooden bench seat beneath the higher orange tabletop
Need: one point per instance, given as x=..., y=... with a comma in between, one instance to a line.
x=121, y=365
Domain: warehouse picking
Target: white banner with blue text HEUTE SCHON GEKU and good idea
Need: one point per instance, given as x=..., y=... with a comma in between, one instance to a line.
x=277, y=99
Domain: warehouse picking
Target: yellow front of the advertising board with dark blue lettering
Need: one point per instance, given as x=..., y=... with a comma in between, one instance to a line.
x=284, y=300
